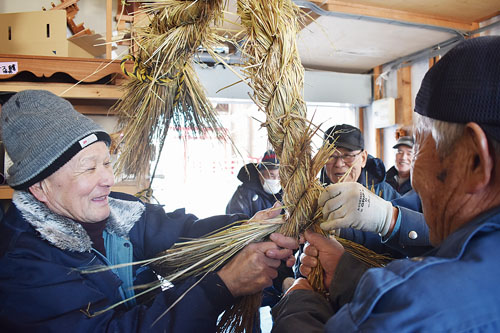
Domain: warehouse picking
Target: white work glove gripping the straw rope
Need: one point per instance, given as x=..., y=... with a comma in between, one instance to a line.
x=351, y=205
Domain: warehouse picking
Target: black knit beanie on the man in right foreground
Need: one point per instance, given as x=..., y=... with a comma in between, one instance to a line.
x=464, y=86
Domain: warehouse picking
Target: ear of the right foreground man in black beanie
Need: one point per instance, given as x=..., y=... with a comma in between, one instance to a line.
x=479, y=161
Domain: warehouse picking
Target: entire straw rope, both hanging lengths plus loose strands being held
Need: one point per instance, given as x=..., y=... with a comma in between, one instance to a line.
x=163, y=84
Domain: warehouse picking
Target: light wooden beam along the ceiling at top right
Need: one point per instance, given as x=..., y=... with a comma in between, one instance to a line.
x=392, y=14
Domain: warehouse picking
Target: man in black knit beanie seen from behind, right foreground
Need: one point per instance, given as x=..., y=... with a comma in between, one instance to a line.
x=456, y=172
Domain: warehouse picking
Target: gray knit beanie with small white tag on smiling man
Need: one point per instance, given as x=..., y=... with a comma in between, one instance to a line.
x=41, y=132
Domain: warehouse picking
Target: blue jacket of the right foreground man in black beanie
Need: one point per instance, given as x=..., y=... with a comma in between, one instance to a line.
x=455, y=288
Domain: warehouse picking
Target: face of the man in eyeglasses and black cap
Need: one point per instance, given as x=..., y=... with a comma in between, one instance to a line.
x=345, y=162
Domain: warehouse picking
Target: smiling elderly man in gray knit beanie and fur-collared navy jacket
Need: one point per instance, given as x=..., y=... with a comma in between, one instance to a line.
x=64, y=218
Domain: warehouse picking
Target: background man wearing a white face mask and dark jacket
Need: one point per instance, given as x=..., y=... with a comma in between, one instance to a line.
x=260, y=188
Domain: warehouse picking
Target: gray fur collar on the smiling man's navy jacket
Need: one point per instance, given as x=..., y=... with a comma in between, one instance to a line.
x=67, y=234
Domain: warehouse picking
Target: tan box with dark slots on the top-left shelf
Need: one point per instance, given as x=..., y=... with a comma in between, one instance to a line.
x=38, y=33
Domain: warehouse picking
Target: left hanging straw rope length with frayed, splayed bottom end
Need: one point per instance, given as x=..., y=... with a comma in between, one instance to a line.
x=163, y=85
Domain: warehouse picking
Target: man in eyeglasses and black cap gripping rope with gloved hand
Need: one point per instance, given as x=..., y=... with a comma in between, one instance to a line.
x=365, y=207
